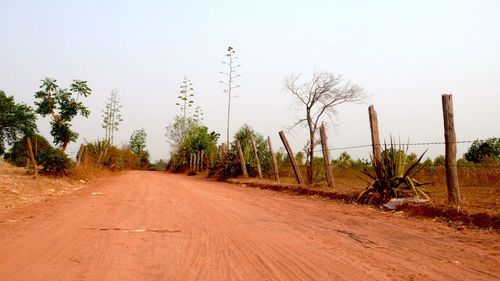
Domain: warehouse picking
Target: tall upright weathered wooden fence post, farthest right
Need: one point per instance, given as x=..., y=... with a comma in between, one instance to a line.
x=451, y=151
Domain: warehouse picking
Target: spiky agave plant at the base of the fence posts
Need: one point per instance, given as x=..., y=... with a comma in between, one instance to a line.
x=391, y=177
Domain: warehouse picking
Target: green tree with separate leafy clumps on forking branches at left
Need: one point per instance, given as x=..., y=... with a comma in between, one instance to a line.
x=62, y=105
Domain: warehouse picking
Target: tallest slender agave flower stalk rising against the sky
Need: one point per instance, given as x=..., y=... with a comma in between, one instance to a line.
x=230, y=75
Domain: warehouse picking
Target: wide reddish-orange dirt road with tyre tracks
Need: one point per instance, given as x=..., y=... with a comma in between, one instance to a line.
x=156, y=226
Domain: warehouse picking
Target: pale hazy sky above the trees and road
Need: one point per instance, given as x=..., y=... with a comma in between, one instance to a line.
x=405, y=54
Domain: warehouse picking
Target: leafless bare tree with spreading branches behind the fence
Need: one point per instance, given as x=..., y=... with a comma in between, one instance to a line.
x=320, y=98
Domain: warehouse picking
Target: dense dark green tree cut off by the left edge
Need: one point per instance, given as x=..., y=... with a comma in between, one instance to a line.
x=16, y=120
